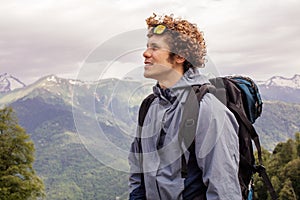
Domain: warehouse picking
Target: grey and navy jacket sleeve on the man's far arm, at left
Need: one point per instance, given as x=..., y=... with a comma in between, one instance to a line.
x=136, y=178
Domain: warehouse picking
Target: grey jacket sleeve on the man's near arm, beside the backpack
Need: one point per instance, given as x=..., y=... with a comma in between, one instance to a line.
x=217, y=150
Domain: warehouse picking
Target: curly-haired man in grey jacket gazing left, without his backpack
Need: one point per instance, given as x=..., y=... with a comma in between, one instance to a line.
x=175, y=49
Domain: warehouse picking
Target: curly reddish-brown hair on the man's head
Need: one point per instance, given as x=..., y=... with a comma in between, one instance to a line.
x=183, y=37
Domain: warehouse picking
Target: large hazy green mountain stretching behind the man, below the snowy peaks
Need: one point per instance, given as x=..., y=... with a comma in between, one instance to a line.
x=78, y=127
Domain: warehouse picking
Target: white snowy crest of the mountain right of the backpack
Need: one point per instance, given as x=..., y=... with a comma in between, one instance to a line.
x=280, y=81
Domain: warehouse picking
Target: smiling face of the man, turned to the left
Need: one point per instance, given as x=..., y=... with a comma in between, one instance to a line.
x=157, y=63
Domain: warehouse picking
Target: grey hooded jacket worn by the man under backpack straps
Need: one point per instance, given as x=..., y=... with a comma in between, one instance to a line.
x=216, y=146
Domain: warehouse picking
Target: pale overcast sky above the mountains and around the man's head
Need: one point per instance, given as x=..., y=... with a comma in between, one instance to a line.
x=252, y=37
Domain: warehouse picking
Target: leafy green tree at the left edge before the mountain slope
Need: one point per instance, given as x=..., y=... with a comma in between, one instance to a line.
x=18, y=180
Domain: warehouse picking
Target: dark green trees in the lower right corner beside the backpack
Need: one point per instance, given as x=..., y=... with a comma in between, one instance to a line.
x=283, y=167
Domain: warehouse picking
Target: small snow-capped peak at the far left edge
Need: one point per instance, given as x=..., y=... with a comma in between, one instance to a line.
x=9, y=83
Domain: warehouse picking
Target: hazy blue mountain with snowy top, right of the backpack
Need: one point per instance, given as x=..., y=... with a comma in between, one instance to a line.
x=279, y=88
